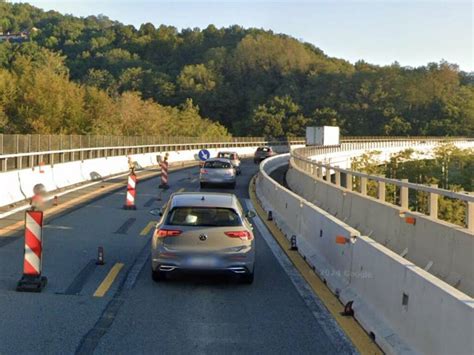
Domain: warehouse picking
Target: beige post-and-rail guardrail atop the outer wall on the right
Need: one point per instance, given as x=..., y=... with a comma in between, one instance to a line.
x=323, y=171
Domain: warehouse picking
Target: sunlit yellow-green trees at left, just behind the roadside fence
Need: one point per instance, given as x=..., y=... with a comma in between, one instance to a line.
x=36, y=96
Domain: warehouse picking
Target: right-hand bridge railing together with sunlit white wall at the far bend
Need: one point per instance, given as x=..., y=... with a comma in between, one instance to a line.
x=327, y=163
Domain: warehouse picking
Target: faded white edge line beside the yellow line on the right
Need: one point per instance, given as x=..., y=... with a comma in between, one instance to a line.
x=327, y=323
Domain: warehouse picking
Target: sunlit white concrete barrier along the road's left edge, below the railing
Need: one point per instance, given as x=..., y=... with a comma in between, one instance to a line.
x=18, y=185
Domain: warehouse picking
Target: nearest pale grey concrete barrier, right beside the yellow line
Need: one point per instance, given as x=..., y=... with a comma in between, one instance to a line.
x=436, y=319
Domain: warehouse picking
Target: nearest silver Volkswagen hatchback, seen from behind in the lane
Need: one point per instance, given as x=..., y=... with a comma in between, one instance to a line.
x=203, y=232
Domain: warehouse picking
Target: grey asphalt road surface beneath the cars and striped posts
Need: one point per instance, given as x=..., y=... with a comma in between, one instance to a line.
x=276, y=314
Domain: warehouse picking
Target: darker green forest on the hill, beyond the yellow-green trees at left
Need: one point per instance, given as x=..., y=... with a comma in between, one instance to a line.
x=236, y=76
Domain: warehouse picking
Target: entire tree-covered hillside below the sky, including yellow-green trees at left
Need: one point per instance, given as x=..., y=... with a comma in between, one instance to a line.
x=251, y=81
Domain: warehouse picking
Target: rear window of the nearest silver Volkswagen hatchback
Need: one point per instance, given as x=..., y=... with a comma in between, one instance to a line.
x=203, y=217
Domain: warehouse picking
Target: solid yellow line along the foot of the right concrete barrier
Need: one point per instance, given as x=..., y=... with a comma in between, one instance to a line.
x=349, y=325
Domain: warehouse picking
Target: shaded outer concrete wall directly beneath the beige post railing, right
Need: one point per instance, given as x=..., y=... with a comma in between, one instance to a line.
x=447, y=250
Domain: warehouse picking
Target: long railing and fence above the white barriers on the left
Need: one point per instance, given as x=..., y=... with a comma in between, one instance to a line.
x=27, y=151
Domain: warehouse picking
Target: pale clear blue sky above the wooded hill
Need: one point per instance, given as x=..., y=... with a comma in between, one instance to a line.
x=412, y=33
